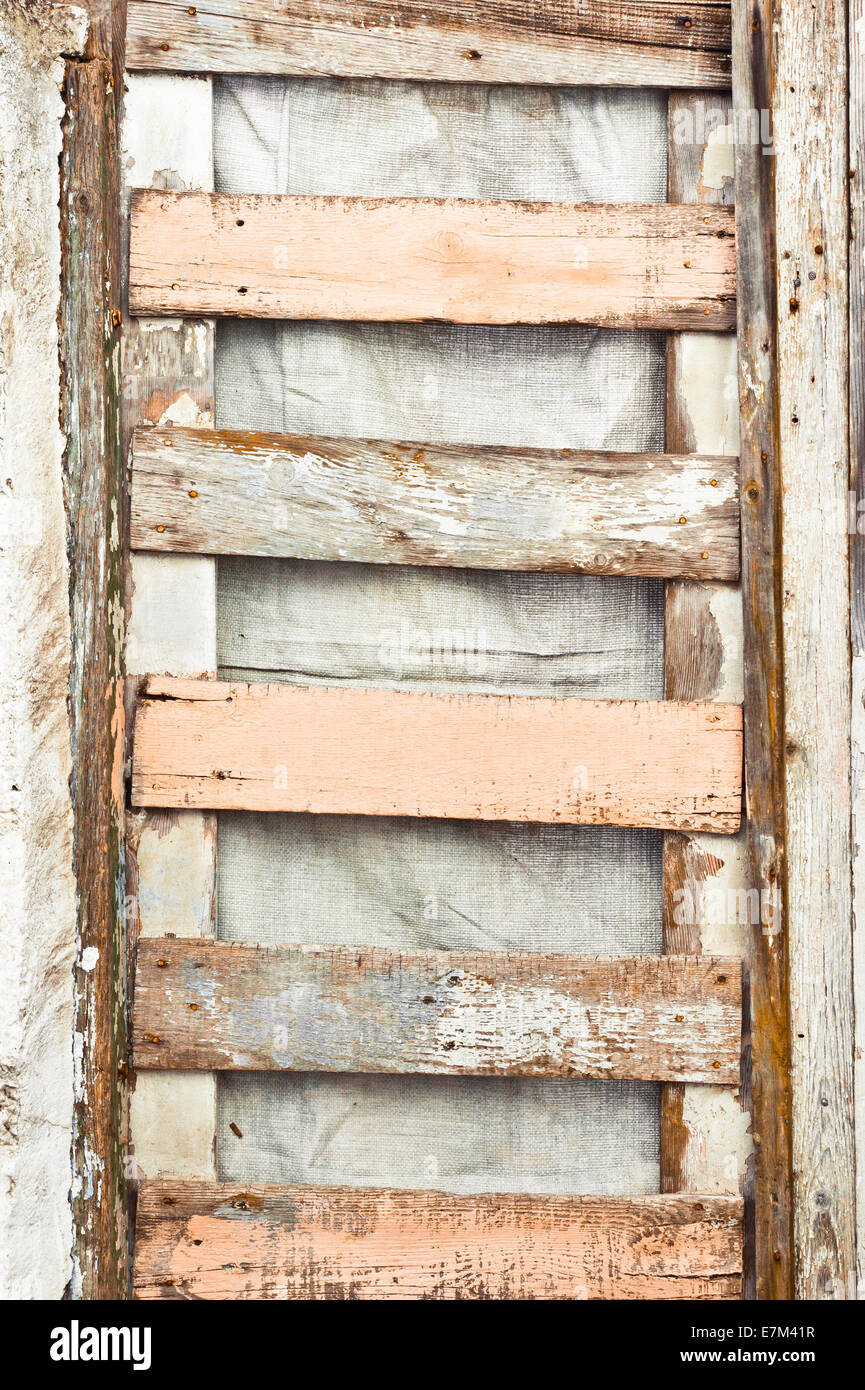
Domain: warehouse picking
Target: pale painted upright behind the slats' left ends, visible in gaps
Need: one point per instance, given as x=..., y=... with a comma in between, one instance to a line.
x=168, y=380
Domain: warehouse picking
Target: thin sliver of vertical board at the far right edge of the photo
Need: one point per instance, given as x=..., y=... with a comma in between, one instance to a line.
x=857, y=579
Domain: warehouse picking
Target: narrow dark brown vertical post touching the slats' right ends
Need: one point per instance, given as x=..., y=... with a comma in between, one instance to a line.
x=768, y=1077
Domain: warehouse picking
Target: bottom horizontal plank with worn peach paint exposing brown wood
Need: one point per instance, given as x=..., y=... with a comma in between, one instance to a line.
x=216, y=1241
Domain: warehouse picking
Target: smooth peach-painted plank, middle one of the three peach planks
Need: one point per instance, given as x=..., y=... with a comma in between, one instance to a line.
x=375, y=753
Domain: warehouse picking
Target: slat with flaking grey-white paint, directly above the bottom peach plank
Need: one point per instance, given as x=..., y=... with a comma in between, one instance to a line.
x=216, y=1006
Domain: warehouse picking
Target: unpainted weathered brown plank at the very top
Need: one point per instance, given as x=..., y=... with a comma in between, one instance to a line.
x=607, y=42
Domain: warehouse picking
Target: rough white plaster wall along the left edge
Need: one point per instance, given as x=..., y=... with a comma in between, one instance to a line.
x=38, y=925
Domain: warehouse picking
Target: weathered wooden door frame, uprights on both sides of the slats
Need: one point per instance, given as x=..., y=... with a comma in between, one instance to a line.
x=799, y=366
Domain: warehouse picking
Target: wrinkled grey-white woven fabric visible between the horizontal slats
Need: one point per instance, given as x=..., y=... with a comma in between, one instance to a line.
x=422, y=883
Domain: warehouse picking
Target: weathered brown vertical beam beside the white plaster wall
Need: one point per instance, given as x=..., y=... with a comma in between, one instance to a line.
x=97, y=511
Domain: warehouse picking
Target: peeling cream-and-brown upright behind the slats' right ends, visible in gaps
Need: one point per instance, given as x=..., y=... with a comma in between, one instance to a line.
x=704, y=1131
